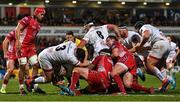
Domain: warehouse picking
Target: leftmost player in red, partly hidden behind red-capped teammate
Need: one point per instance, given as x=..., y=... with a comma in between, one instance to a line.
x=9, y=50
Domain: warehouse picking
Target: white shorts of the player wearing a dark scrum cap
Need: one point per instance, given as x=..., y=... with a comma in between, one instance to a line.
x=159, y=49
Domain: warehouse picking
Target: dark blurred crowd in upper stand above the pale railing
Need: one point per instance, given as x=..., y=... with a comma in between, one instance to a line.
x=68, y=17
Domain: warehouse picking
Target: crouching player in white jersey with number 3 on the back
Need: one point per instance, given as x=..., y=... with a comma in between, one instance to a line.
x=52, y=57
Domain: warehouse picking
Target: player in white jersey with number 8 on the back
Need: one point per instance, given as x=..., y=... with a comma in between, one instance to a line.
x=96, y=35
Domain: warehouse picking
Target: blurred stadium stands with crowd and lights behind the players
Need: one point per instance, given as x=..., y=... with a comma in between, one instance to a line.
x=65, y=15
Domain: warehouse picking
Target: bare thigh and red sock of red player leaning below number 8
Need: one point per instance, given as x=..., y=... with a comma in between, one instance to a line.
x=118, y=69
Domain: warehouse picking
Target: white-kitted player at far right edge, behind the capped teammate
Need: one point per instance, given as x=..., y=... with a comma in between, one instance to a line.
x=170, y=61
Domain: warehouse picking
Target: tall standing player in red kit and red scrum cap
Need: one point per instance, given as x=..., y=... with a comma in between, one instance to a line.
x=26, y=32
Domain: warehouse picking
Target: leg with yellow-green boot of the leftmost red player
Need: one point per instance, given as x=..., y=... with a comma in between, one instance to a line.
x=10, y=68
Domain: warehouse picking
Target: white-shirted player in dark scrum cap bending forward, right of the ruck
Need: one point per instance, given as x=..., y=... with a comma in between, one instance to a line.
x=160, y=46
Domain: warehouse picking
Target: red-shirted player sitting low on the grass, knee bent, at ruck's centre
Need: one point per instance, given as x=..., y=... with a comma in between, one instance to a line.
x=97, y=74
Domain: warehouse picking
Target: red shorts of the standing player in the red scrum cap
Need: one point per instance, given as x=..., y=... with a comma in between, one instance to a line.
x=28, y=51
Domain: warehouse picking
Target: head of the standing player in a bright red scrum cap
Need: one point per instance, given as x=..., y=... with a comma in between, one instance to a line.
x=39, y=13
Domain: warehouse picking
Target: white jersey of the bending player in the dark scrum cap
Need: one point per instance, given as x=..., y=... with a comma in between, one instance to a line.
x=155, y=33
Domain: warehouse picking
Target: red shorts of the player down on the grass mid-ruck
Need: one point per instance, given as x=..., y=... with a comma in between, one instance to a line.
x=97, y=81
